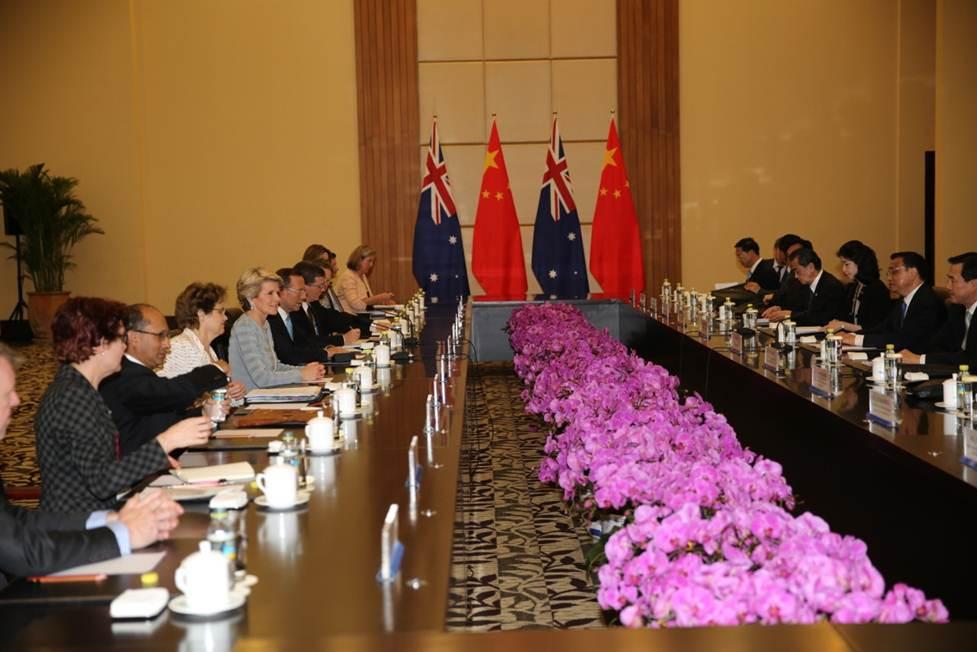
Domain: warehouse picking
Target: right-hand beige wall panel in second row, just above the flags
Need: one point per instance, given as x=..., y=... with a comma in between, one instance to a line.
x=584, y=94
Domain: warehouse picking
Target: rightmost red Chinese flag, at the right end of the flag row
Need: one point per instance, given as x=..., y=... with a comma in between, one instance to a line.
x=615, y=243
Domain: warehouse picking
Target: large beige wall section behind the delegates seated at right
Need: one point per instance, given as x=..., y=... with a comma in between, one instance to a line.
x=780, y=133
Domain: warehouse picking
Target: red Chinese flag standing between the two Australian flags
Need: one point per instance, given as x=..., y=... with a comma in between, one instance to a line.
x=497, y=259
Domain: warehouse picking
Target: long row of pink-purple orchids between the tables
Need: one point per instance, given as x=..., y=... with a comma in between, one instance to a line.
x=708, y=535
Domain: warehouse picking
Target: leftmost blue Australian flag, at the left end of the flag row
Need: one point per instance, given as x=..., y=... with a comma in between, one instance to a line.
x=439, y=256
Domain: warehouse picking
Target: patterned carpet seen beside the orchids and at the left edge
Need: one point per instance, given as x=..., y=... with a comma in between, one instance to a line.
x=518, y=560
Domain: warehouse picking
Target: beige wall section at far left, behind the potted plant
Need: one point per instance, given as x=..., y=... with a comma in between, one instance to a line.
x=69, y=105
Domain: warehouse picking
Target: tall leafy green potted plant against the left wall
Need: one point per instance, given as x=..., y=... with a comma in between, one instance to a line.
x=51, y=221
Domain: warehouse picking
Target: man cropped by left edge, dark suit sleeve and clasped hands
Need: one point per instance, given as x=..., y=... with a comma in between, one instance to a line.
x=35, y=542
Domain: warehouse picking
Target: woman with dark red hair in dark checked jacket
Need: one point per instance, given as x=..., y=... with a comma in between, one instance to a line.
x=78, y=446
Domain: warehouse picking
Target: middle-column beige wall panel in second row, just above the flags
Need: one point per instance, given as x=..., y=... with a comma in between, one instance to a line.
x=519, y=92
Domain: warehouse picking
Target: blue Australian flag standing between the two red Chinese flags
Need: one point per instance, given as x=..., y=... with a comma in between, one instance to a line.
x=558, y=260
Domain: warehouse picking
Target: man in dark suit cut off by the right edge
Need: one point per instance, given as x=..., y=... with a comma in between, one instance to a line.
x=956, y=341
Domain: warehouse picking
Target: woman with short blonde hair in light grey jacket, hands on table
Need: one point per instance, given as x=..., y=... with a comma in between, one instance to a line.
x=252, y=349
